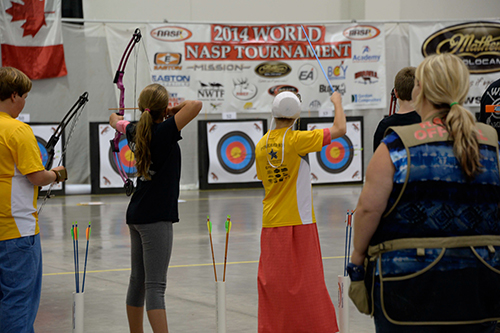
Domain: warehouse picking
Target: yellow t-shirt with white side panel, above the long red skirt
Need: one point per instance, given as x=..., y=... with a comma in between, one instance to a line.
x=288, y=199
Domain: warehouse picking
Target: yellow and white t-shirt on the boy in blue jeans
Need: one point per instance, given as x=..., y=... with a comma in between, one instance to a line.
x=19, y=156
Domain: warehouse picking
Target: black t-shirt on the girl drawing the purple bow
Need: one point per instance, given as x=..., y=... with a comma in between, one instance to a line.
x=157, y=199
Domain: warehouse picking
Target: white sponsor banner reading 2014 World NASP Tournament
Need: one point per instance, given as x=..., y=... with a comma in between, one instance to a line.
x=234, y=68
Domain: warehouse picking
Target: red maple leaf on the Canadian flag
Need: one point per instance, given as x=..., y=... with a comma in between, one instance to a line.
x=32, y=11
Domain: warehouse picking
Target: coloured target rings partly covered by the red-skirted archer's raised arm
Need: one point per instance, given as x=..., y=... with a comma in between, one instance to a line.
x=337, y=156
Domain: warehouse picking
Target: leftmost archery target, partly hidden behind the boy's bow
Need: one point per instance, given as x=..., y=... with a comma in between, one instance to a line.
x=43, y=132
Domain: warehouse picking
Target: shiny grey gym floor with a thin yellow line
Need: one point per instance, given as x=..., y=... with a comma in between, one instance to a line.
x=190, y=295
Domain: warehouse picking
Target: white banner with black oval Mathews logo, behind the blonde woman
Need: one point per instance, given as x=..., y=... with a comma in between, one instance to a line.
x=476, y=43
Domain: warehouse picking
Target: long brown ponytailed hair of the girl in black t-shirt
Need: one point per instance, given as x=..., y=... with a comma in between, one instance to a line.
x=153, y=103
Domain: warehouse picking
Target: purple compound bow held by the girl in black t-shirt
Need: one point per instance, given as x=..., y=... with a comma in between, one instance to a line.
x=118, y=80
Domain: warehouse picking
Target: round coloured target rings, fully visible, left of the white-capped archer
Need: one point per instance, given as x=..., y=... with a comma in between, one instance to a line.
x=235, y=152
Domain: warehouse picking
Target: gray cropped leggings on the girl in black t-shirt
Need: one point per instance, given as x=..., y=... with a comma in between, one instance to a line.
x=151, y=249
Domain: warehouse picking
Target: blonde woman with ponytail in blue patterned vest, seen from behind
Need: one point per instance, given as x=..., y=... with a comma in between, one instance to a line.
x=427, y=225
